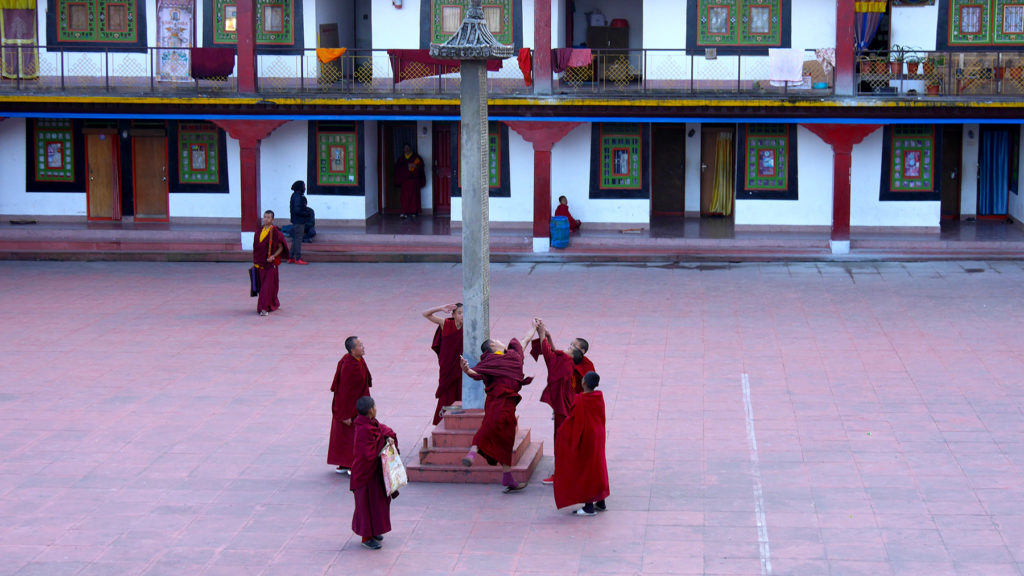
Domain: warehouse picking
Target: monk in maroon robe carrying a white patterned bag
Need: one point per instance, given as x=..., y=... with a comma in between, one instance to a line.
x=372, y=517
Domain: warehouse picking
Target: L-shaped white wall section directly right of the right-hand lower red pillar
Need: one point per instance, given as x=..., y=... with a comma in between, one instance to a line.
x=866, y=210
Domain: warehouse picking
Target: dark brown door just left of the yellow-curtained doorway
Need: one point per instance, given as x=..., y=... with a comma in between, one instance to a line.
x=668, y=158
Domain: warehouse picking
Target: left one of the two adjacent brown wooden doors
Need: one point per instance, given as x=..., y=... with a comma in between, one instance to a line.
x=103, y=188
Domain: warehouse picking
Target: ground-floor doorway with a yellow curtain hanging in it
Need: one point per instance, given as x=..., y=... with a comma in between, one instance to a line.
x=718, y=169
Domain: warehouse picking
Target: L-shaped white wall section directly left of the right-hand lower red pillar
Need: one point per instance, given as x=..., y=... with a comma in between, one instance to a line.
x=814, y=205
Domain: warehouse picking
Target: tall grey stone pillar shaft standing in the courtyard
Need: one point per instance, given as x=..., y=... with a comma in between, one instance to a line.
x=476, y=223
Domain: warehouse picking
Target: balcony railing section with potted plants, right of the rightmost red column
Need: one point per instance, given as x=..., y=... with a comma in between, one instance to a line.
x=942, y=74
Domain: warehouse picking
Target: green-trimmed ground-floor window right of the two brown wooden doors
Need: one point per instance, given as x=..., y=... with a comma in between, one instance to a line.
x=198, y=162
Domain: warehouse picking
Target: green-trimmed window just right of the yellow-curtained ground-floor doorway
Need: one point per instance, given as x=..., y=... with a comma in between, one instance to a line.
x=769, y=170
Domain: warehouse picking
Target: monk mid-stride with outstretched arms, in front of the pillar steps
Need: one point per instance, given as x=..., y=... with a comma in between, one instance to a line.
x=501, y=369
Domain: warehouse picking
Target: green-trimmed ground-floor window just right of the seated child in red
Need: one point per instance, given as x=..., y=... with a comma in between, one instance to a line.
x=620, y=168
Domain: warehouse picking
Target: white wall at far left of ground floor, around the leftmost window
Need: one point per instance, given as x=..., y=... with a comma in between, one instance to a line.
x=14, y=199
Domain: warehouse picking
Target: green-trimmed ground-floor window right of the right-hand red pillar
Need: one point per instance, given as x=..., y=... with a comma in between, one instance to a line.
x=910, y=157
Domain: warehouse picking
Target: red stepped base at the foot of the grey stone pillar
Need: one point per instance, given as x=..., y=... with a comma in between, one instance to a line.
x=440, y=458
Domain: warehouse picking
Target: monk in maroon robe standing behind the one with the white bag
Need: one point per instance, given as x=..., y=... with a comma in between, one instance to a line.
x=352, y=382
